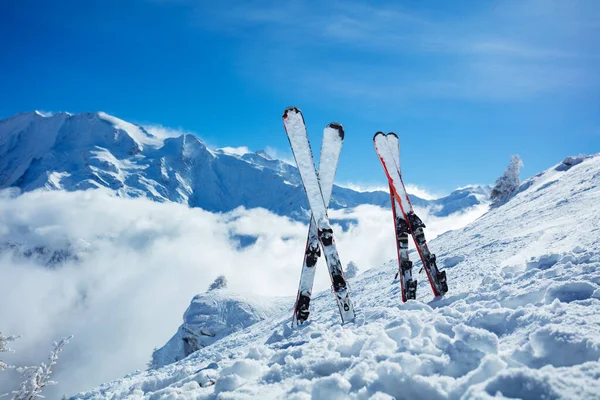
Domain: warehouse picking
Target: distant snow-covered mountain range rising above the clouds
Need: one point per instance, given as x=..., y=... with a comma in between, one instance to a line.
x=89, y=150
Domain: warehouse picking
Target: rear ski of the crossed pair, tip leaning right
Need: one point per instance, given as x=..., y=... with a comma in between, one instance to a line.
x=329, y=156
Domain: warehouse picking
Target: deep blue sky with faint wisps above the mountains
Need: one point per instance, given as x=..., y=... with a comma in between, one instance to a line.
x=464, y=84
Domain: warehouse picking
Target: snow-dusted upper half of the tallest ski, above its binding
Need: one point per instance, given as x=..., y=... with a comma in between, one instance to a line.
x=296, y=131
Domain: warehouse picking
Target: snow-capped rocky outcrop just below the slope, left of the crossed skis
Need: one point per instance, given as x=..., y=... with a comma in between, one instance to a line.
x=210, y=317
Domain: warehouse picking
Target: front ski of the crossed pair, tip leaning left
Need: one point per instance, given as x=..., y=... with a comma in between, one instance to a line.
x=295, y=128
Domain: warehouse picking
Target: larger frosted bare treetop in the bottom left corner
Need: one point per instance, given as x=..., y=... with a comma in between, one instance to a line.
x=37, y=378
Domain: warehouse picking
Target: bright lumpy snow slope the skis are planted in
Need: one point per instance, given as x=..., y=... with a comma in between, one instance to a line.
x=521, y=319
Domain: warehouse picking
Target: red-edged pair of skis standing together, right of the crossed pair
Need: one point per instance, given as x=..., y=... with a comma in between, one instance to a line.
x=385, y=146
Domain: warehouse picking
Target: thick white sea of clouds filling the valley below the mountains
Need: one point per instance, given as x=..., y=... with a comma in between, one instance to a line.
x=119, y=273
